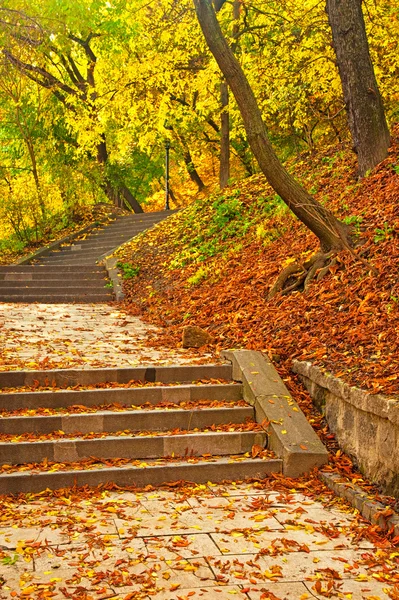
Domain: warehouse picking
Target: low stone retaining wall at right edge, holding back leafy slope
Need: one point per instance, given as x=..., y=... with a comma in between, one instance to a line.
x=366, y=426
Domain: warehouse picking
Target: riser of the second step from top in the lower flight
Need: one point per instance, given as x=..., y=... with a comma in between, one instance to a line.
x=125, y=397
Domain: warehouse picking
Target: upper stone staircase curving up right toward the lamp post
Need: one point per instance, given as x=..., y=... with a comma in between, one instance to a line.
x=70, y=273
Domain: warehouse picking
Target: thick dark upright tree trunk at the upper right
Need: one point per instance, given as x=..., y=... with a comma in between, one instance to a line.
x=362, y=97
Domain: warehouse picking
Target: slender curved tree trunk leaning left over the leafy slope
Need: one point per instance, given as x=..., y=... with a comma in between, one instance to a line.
x=329, y=230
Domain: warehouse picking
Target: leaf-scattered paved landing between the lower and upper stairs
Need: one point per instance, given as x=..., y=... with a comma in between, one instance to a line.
x=83, y=335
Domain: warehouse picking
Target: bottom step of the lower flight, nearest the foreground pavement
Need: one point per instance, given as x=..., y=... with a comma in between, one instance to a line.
x=155, y=473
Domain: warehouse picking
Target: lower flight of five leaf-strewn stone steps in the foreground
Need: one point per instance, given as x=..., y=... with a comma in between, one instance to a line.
x=130, y=427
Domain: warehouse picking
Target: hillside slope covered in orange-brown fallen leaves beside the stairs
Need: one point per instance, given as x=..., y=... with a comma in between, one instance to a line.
x=213, y=264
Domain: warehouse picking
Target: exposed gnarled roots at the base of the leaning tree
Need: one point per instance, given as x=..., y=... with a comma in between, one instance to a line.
x=298, y=276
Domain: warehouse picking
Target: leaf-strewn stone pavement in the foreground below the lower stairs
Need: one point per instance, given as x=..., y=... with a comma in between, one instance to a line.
x=242, y=541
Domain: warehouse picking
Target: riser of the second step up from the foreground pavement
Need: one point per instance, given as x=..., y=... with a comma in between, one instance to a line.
x=132, y=448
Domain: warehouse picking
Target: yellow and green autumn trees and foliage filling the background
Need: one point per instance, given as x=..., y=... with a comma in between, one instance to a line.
x=91, y=91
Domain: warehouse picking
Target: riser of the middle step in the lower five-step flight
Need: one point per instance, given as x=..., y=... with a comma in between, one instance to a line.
x=133, y=420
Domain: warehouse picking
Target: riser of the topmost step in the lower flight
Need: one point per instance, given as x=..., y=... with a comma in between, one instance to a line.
x=73, y=377
